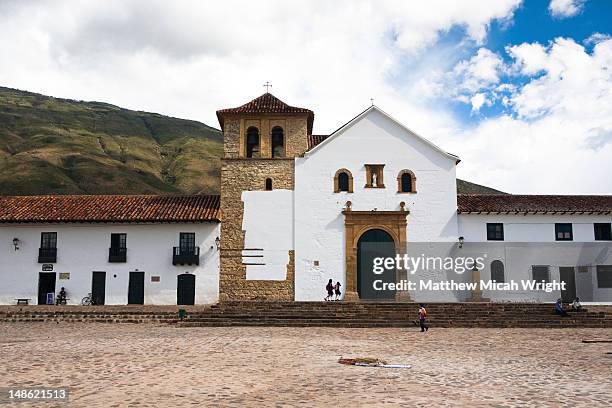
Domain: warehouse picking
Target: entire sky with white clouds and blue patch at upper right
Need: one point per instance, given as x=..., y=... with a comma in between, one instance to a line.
x=513, y=87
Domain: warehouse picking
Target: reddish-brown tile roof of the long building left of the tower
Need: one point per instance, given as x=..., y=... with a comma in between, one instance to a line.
x=108, y=208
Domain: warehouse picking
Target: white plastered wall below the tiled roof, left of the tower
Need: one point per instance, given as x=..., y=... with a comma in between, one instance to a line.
x=83, y=248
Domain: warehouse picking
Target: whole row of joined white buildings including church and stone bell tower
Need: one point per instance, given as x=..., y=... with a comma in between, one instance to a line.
x=297, y=210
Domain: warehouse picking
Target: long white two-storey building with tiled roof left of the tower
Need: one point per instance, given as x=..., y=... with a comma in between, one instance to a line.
x=120, y=249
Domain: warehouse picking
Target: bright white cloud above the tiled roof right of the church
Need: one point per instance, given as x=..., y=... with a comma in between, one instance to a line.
x=560, y=140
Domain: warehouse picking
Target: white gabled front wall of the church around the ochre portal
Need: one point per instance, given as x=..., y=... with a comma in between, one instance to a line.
x=319, y=223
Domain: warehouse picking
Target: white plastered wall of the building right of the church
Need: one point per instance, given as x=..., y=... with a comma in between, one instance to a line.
x=530, y=240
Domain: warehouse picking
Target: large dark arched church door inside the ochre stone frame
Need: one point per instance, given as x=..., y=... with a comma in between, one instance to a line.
x=374, y=243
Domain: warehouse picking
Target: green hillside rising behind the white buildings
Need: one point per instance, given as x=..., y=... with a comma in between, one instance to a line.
x=60, y=146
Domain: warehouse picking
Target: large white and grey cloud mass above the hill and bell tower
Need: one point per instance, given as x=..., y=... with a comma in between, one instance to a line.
x=191, y=58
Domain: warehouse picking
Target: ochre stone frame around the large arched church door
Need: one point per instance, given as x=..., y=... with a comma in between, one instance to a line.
x=356, y=223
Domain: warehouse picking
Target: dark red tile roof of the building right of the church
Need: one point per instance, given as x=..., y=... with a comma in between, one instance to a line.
x=525, y=204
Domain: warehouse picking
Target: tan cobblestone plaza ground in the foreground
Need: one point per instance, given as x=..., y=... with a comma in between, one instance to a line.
x=110, y=365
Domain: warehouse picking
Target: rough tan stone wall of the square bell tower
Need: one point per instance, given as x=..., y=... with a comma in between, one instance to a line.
x=240, y=174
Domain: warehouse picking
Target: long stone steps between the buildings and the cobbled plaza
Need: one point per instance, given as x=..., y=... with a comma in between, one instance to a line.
x=303, y=314
